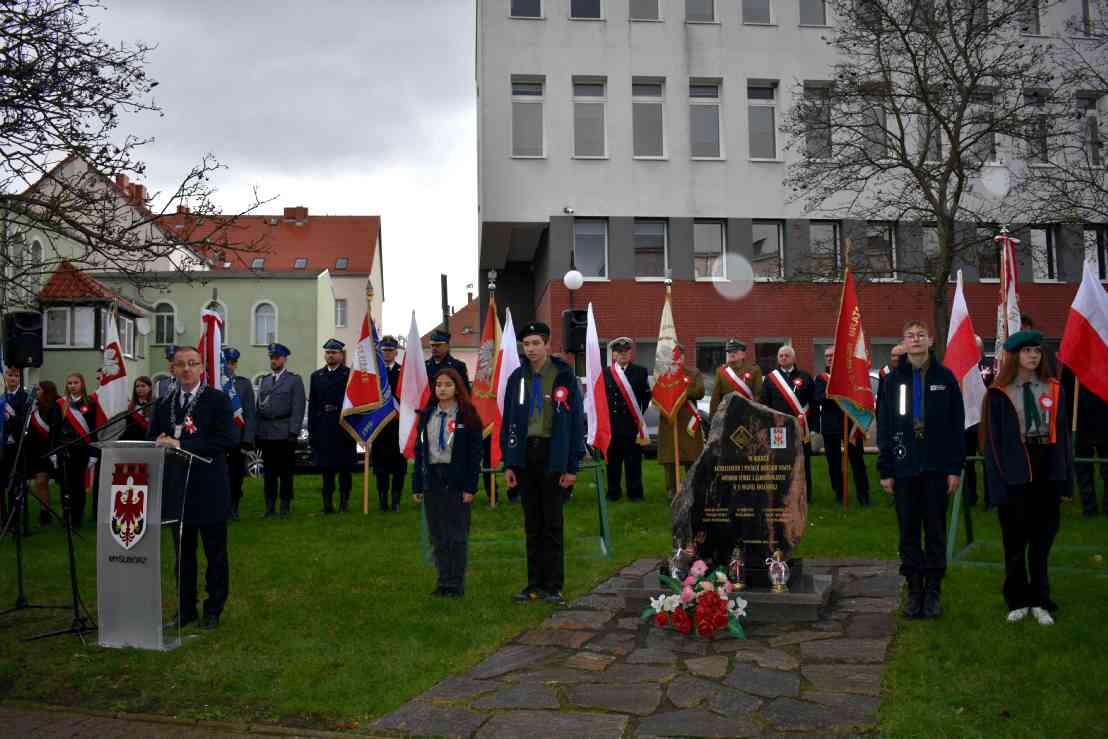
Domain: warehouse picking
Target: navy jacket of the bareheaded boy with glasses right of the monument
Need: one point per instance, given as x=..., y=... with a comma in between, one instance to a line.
x=943, y=449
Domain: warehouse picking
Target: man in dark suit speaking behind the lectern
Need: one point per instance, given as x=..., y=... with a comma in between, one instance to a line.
x=198, y=419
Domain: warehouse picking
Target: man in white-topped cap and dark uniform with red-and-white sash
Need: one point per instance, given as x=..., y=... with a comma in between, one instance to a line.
x=628, y=399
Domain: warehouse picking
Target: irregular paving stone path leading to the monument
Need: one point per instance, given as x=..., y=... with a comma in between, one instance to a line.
x=594, y=670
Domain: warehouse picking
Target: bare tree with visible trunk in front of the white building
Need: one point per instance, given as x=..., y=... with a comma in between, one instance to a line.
x=924, y=98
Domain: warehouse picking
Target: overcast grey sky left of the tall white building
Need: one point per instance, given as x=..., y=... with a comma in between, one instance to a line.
x=346, y=107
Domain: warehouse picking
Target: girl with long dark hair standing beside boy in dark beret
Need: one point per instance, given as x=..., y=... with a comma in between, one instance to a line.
x=448, y=466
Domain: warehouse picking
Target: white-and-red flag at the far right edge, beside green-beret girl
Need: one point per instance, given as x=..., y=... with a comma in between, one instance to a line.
x=1085, y=342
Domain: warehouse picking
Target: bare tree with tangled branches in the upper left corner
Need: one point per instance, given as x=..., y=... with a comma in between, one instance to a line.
x=66, y=191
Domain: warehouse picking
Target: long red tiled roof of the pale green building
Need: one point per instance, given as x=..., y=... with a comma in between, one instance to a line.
x=281, y=241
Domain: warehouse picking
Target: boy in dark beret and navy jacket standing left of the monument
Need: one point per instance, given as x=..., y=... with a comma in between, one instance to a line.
x=543, y=438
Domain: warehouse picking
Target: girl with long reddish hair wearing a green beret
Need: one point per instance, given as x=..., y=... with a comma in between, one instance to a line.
x=1030, y=467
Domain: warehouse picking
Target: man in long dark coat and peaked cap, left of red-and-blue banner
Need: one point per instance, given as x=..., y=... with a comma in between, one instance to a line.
x=333, y=448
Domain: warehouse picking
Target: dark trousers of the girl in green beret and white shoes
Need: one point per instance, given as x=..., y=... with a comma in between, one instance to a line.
x=1029, y=525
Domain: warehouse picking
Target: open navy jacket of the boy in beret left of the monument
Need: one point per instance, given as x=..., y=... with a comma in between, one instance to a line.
x=568, y=430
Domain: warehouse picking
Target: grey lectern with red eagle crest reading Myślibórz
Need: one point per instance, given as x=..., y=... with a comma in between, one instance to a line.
x=142, y=490
